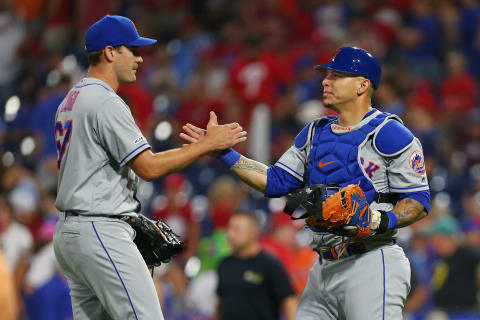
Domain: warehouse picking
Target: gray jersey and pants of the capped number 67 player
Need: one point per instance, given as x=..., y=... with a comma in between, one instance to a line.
x=96, y=137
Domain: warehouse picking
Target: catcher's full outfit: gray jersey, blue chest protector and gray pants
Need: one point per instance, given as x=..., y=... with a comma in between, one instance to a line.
x=371, y=279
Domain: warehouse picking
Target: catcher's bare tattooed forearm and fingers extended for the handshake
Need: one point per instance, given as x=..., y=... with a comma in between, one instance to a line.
x=251, y=172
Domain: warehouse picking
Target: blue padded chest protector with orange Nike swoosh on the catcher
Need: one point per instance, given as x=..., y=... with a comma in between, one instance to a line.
x=333, y=158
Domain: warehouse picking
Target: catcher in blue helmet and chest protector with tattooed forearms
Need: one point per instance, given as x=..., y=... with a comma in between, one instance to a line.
x=354, y=278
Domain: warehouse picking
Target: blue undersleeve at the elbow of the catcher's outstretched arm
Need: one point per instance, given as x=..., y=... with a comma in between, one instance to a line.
x=280, y=182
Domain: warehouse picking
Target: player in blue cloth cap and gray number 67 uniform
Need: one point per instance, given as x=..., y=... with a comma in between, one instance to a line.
x=101, y=154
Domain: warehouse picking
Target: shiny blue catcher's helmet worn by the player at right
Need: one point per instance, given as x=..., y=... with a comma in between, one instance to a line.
x=354, y=60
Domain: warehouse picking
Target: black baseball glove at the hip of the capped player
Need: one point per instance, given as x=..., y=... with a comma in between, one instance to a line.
x=155, y=240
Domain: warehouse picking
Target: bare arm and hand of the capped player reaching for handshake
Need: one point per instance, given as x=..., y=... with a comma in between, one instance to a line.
x=149, y=165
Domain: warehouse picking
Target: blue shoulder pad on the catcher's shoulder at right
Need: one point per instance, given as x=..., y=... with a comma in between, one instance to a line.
x=392, y=138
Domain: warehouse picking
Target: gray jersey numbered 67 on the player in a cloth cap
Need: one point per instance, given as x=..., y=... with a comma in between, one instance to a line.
x=96, y=136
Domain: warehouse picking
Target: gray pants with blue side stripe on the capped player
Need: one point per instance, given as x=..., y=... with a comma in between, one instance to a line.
x=107, y=276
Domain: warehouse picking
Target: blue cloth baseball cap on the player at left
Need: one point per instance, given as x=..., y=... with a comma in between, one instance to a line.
x=114, y=31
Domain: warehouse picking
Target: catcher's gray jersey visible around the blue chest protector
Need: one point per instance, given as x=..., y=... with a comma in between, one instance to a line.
x=389, y=173
